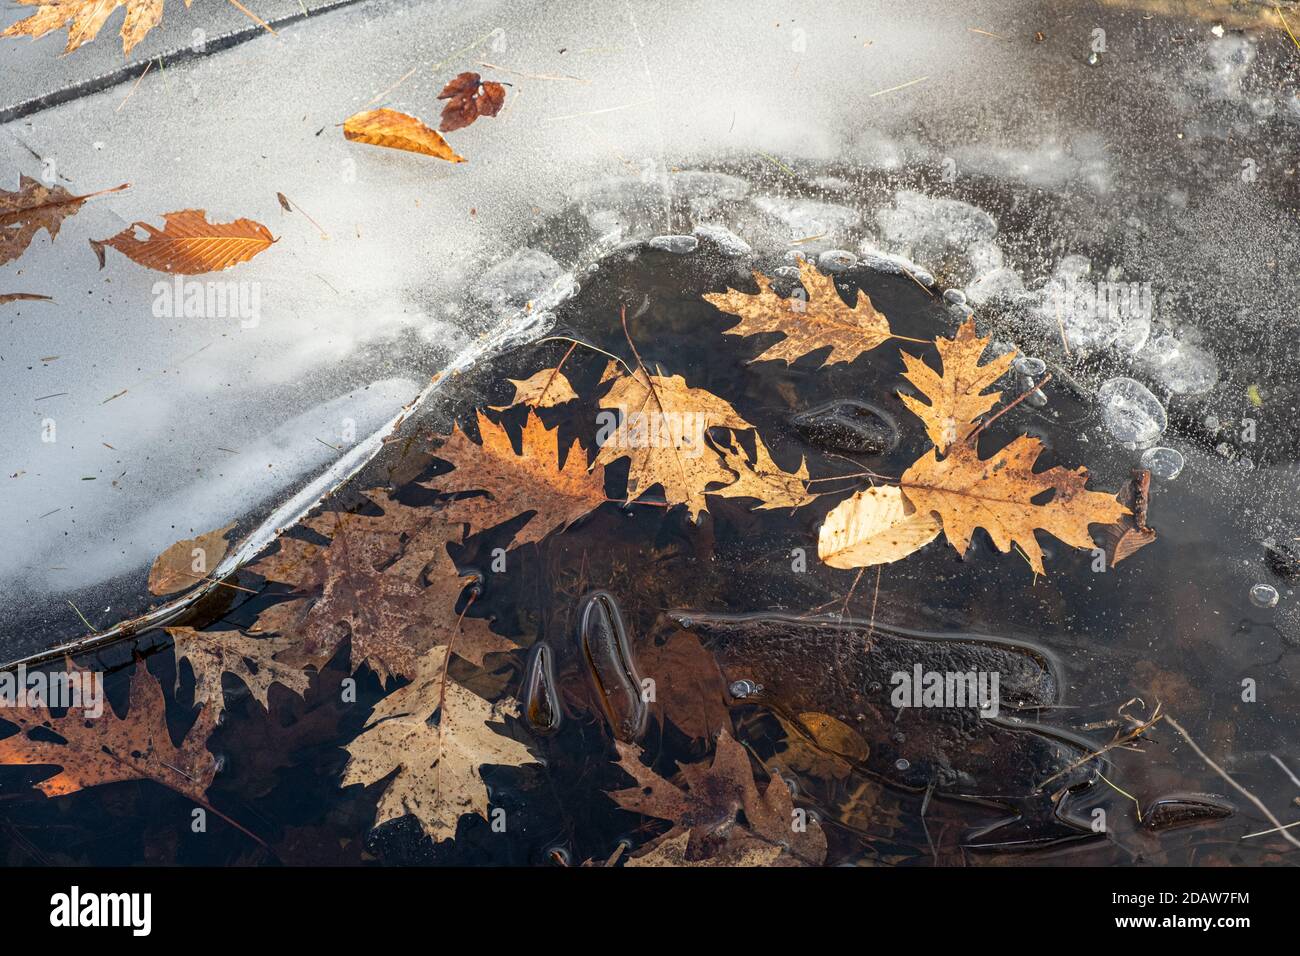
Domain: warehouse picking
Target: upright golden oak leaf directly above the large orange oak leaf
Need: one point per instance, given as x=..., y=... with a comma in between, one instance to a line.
x=957, y=395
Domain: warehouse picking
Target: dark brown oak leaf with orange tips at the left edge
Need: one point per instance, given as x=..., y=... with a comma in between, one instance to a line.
x=110, y=750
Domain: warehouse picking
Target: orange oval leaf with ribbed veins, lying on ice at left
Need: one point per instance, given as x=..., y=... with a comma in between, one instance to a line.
x=188, y=244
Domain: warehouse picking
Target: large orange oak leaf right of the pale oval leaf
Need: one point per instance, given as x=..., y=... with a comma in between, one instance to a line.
x=998, y=495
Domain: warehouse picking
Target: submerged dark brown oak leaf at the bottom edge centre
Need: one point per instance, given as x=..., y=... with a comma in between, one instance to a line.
x=707, y=807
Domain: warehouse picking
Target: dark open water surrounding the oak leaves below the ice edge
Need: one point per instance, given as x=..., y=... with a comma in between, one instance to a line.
x=1172, y=625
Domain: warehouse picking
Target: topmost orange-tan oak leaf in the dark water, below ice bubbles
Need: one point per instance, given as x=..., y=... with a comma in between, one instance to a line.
x=820, y=322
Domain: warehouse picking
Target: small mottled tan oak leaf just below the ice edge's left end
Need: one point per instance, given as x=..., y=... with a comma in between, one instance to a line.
x=253, y=660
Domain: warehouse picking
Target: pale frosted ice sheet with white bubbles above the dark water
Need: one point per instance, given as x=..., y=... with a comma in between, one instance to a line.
x=916, y=135
